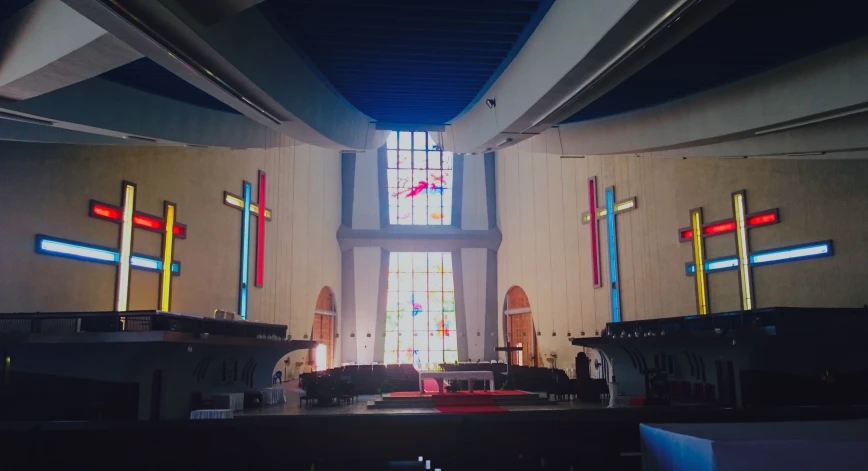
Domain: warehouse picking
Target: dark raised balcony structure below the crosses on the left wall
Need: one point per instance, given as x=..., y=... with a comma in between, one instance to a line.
x=131, y=365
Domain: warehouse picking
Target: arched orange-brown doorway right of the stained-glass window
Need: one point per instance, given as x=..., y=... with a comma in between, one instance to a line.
x=519, y=328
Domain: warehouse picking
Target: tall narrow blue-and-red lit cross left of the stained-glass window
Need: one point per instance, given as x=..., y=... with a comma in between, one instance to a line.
x=249, y=209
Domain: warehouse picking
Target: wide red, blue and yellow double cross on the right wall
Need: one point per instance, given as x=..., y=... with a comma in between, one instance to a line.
x=744, y=259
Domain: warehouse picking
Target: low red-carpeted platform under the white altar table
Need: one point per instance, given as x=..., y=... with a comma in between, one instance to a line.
x=459, y=402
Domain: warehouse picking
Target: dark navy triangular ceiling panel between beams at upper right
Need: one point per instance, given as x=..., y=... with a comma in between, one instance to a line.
x=747, y=38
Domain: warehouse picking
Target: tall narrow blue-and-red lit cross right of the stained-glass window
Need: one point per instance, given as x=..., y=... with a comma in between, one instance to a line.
x=609, y=211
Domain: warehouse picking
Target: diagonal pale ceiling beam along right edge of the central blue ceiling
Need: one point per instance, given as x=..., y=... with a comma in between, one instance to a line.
x=580, y=50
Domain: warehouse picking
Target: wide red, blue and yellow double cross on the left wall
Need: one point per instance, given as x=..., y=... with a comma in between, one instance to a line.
x=123, y=257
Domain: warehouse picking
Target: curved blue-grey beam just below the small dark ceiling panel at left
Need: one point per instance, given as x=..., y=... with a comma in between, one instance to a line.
x=105, y=108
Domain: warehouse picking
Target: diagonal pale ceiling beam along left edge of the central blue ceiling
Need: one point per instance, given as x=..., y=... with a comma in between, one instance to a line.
x=159, y=34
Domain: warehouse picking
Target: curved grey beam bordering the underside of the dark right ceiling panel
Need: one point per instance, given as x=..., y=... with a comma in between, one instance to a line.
x=758, y=105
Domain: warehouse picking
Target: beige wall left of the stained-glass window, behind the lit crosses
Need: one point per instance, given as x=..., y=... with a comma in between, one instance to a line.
x=46, y=189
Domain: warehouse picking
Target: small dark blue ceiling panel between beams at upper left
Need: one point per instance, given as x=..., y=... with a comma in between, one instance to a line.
x=148, y=76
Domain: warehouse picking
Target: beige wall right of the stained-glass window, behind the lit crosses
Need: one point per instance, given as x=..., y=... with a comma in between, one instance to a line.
x=545, y=248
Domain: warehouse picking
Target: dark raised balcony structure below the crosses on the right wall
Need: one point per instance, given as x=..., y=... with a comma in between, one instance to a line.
x=767, y=357
